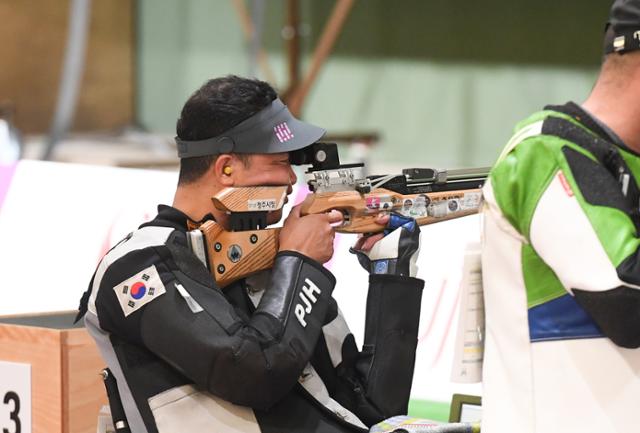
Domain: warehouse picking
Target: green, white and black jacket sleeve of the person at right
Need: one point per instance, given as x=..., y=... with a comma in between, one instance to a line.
x=581, y=226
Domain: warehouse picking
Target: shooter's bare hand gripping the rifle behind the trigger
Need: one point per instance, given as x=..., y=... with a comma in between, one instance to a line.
x=311, y=235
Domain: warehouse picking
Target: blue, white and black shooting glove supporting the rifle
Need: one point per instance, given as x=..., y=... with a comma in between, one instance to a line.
x=396, y=252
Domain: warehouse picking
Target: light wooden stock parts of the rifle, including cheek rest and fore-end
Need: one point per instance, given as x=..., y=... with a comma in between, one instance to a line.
x=233, y=255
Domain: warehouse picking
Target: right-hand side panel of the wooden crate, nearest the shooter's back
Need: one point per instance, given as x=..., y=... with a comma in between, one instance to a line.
x=83, y=392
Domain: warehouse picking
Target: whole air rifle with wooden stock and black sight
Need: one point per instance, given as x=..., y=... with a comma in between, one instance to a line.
x=427, y=195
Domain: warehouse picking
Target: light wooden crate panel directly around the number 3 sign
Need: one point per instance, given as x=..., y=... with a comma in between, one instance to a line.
x=40, y=348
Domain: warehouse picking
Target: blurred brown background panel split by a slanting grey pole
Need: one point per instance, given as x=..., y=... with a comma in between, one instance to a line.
x=33, y=34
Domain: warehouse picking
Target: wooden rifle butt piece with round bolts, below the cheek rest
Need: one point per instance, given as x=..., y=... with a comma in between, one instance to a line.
x=236, y=255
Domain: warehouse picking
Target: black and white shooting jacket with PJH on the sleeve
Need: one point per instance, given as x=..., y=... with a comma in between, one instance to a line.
x=271, y=353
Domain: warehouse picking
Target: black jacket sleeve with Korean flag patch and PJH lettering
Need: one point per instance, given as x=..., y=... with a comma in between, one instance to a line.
x=193, y=327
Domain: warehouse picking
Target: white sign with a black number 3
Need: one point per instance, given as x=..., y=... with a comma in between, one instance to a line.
x=15, y=397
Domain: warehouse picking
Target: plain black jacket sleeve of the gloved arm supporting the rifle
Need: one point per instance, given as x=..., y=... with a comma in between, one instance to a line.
x=374, y=383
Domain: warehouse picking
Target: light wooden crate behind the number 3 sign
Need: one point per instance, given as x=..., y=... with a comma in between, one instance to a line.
x=66, y=387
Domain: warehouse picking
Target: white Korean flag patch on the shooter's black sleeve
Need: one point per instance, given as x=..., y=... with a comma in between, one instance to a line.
x=142, y=288
